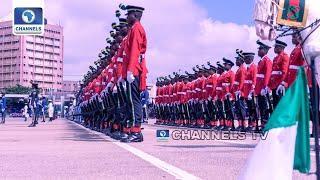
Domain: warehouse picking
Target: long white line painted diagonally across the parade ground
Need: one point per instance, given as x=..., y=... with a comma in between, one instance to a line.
x=174, y=171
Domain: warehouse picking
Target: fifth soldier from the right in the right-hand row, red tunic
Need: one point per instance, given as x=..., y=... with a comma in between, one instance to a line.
x=237, y=90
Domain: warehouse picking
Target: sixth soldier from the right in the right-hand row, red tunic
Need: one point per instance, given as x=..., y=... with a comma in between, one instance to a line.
x=227, y=84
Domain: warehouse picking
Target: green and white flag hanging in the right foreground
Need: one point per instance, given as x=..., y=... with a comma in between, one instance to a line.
x=287, y=145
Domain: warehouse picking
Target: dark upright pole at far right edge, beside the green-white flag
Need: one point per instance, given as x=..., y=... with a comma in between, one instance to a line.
x=315, y=120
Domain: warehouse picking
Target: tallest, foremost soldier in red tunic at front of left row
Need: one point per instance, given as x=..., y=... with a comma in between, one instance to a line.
x=136, y=71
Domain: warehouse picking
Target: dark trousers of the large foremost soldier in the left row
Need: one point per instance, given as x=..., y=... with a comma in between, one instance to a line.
x=134, y=106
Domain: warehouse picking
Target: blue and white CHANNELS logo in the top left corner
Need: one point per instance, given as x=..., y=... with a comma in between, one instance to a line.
x=28, y=18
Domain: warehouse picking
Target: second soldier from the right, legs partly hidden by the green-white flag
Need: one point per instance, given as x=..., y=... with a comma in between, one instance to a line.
x=279, y=71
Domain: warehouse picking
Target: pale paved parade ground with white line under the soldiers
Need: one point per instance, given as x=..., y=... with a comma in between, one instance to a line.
x=64, y=150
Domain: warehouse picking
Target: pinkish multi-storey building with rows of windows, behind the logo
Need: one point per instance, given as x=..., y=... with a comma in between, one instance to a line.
x=26, y=58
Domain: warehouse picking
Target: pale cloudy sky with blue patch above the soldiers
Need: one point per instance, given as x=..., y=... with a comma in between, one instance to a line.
x=180, y=33
